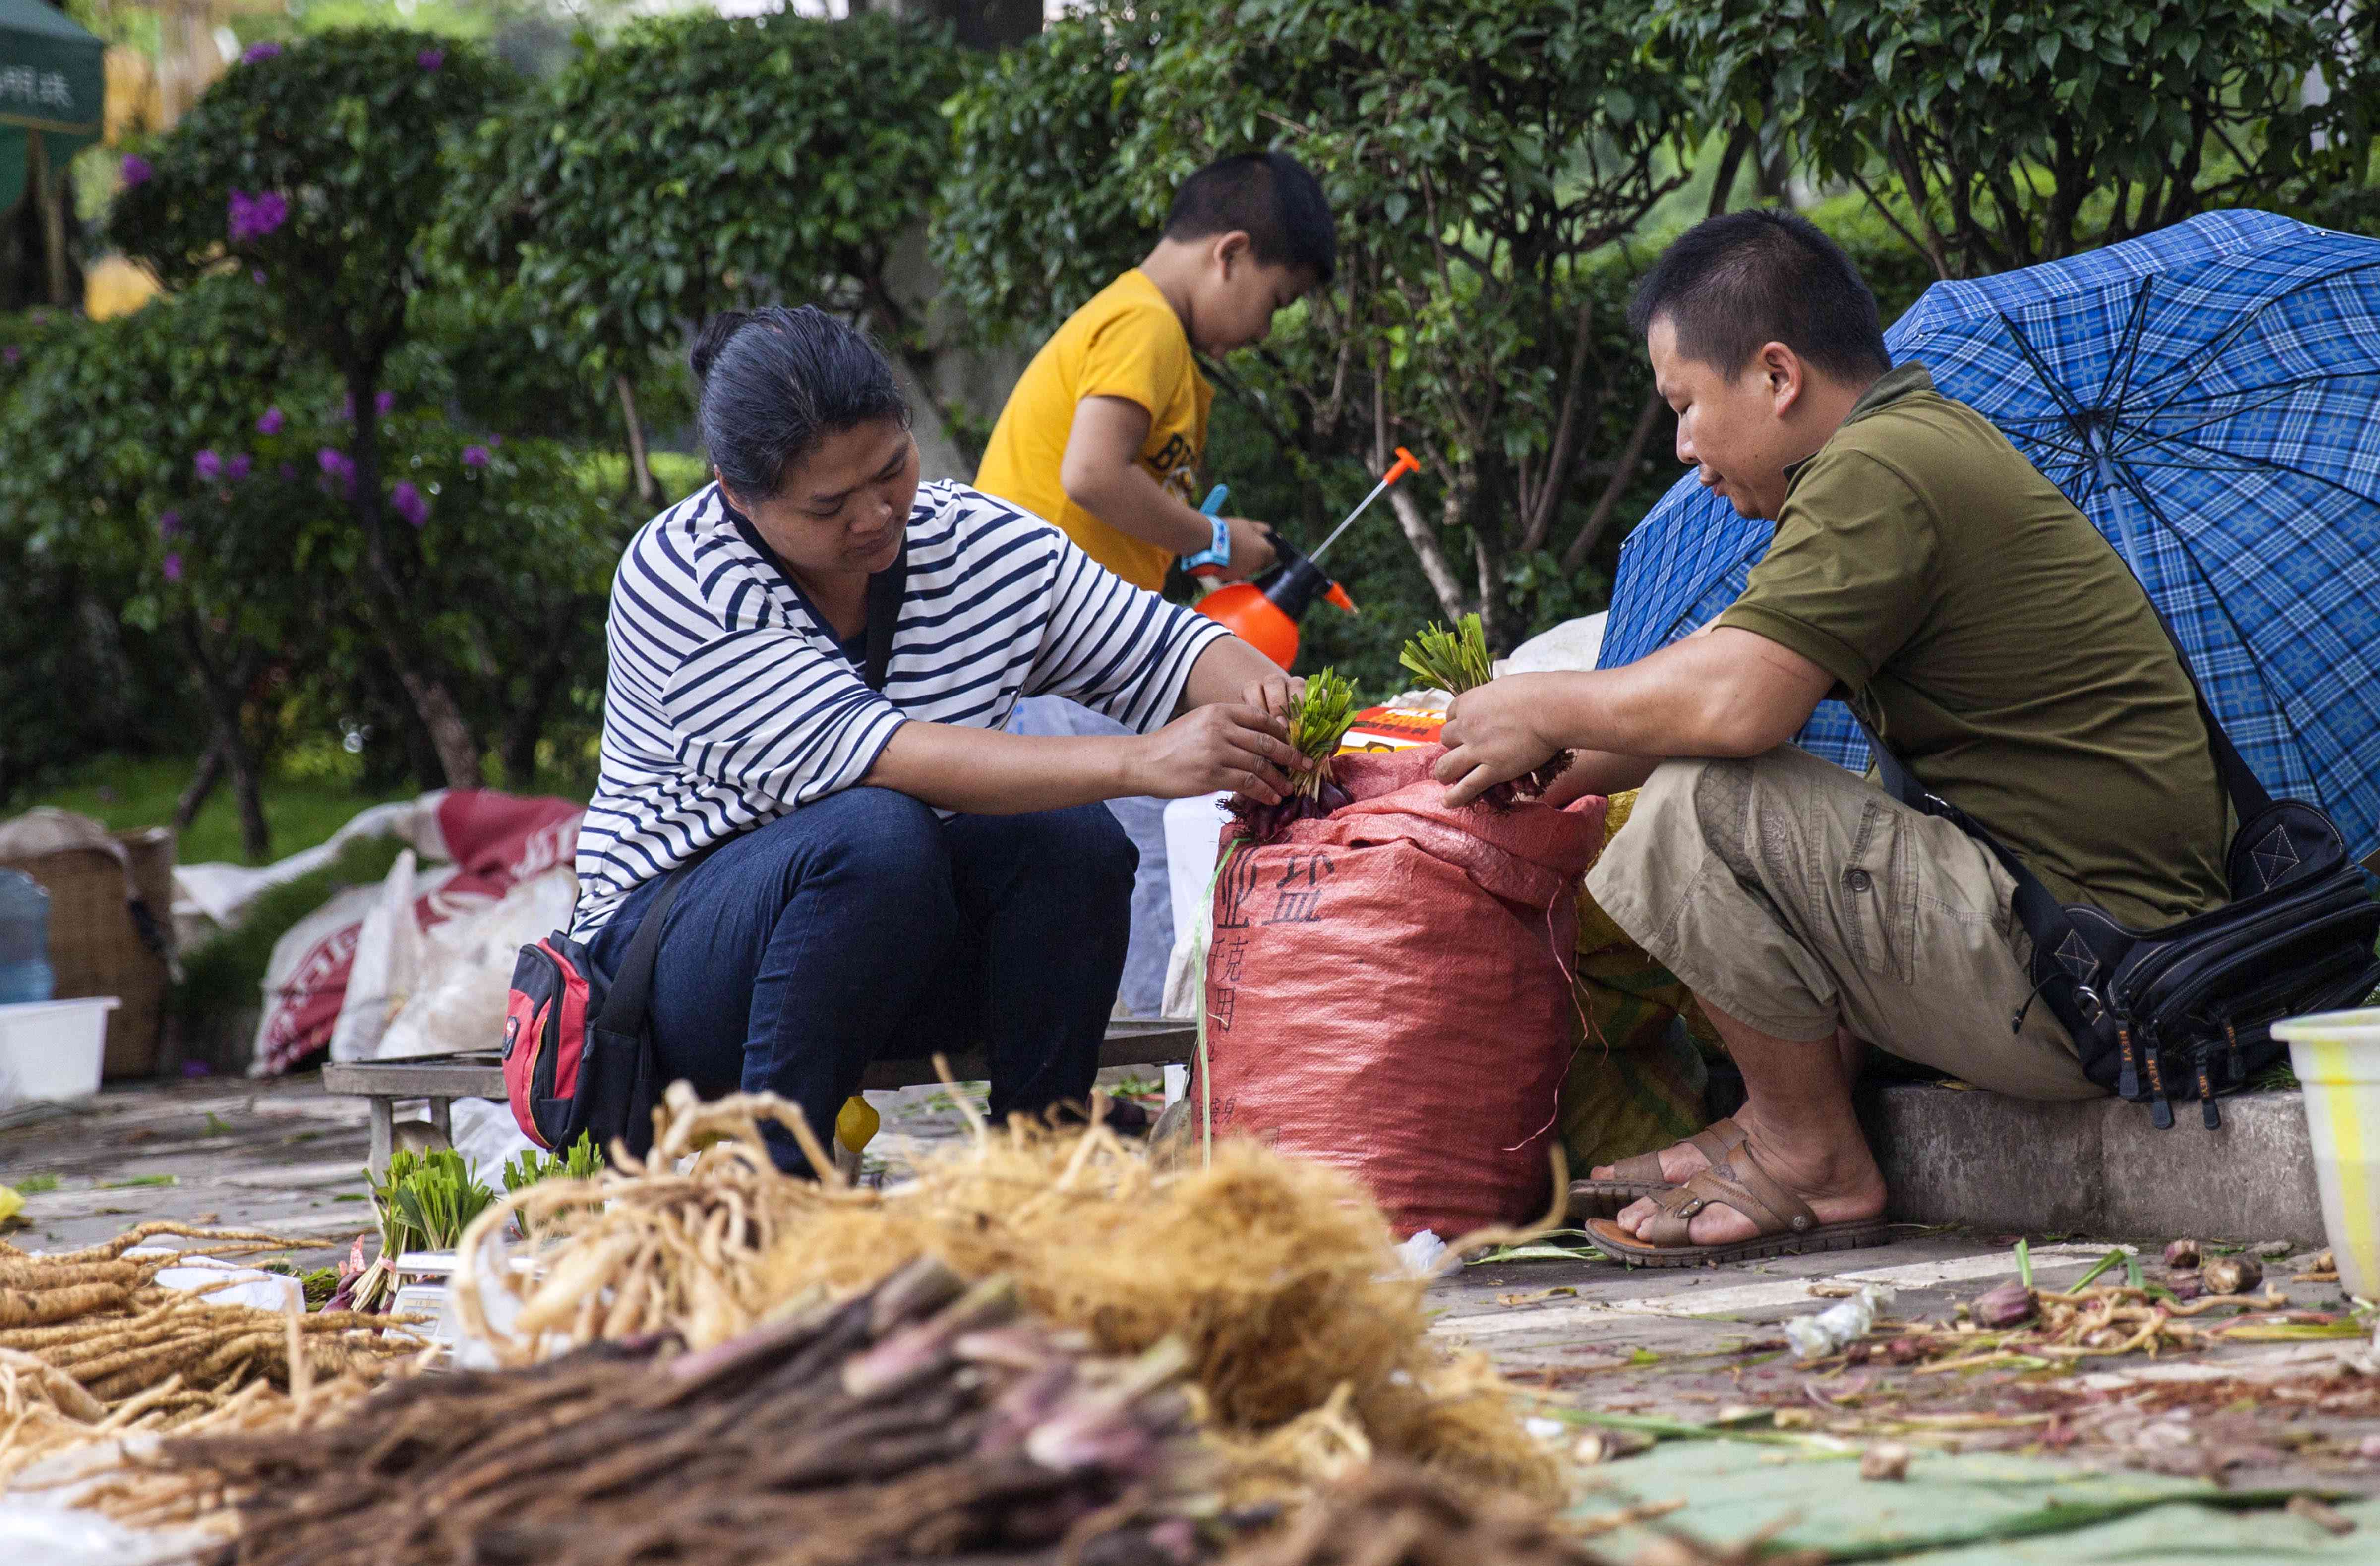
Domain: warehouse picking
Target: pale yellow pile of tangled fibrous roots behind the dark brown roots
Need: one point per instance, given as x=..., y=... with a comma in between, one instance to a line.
x=1305, y=1336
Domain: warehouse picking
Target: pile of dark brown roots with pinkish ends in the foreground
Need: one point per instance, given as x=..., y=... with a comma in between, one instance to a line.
x=920, y=1420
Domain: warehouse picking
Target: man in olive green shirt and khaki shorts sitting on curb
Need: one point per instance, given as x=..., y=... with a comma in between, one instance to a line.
x=1974, y=618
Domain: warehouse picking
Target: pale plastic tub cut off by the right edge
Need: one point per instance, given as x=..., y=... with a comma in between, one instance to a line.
x=2338, y=1063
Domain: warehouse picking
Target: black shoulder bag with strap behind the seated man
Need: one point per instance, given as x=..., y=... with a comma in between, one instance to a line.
x=2155, y=1013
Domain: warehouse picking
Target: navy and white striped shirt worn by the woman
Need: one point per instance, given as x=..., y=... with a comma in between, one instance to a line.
x=729, y=703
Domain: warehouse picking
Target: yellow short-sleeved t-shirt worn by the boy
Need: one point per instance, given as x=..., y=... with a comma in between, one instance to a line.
x=1125, y=344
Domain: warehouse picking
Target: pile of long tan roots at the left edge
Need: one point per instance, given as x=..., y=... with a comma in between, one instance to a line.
x=94, y=1346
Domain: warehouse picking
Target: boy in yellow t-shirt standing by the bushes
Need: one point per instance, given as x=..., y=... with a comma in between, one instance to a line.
x=1108, y=425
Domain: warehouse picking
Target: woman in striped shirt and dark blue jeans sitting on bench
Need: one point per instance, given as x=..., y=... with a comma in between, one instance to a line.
x=813, y=663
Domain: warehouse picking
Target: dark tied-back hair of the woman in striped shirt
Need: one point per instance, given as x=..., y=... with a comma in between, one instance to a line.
x=775, y=382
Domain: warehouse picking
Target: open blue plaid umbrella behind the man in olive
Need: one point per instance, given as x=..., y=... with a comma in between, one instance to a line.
x=2210, y=399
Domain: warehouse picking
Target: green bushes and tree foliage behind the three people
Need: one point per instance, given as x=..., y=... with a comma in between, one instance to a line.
x=518, y=265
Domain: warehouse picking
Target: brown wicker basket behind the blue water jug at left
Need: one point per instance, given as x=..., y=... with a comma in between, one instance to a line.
x=94, y=946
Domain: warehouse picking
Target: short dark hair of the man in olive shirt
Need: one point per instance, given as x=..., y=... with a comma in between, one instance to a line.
x=1743, y=280
